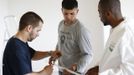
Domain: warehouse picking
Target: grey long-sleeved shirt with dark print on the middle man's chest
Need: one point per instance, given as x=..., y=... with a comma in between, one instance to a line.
x=74, y=44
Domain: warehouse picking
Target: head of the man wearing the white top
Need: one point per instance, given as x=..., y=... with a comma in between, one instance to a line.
x=110, y=12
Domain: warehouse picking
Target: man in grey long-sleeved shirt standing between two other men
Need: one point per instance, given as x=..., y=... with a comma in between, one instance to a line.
x=73, y=40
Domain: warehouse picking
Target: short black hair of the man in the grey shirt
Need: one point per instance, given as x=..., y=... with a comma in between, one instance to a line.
x=69, y=4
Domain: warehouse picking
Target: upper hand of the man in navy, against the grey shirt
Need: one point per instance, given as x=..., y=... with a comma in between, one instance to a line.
x=55, y=55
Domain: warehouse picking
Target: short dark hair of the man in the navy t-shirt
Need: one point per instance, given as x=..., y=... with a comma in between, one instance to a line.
x=29, y=18
